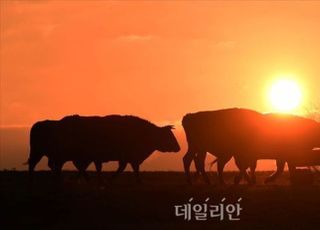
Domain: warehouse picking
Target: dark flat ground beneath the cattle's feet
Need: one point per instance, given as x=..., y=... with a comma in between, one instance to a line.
x=78, y=204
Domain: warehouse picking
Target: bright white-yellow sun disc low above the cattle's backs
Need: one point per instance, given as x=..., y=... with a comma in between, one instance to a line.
x=285, y=95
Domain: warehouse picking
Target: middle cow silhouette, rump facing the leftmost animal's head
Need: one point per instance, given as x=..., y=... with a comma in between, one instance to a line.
x=221, y=133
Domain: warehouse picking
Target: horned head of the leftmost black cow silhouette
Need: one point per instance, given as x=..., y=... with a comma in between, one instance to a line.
x=166, y=140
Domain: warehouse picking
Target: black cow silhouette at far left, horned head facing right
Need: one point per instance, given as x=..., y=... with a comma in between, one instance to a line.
x=126, y=139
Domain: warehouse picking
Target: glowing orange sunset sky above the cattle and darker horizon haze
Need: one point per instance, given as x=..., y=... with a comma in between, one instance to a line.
x=155, y=59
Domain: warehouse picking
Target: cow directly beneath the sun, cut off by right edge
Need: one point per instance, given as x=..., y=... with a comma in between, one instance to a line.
x=285, y=138
